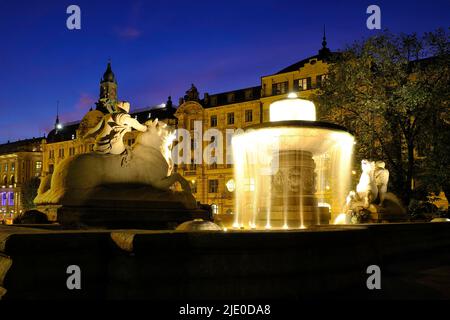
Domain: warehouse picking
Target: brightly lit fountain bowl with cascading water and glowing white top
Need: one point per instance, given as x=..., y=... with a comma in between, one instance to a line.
x=292, y=172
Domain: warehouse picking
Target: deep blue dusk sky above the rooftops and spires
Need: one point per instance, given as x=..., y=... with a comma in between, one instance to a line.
x=158, y=48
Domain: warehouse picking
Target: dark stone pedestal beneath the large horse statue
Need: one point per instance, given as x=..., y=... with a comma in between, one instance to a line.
x=128, y=206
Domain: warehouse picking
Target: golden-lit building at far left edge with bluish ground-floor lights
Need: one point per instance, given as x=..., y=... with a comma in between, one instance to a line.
x=20, y=161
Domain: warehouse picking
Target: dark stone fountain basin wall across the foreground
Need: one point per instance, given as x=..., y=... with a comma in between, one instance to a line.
x=321, y=262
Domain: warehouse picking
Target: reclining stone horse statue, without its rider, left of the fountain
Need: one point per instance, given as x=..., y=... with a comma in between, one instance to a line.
x=83, y=177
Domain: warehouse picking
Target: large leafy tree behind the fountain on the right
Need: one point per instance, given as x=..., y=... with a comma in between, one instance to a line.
x=392, y=92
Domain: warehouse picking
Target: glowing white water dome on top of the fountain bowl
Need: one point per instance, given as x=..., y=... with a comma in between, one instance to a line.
x=292, y=108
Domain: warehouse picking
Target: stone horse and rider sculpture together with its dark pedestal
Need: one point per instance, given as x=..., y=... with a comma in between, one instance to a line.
x=116, y=184
